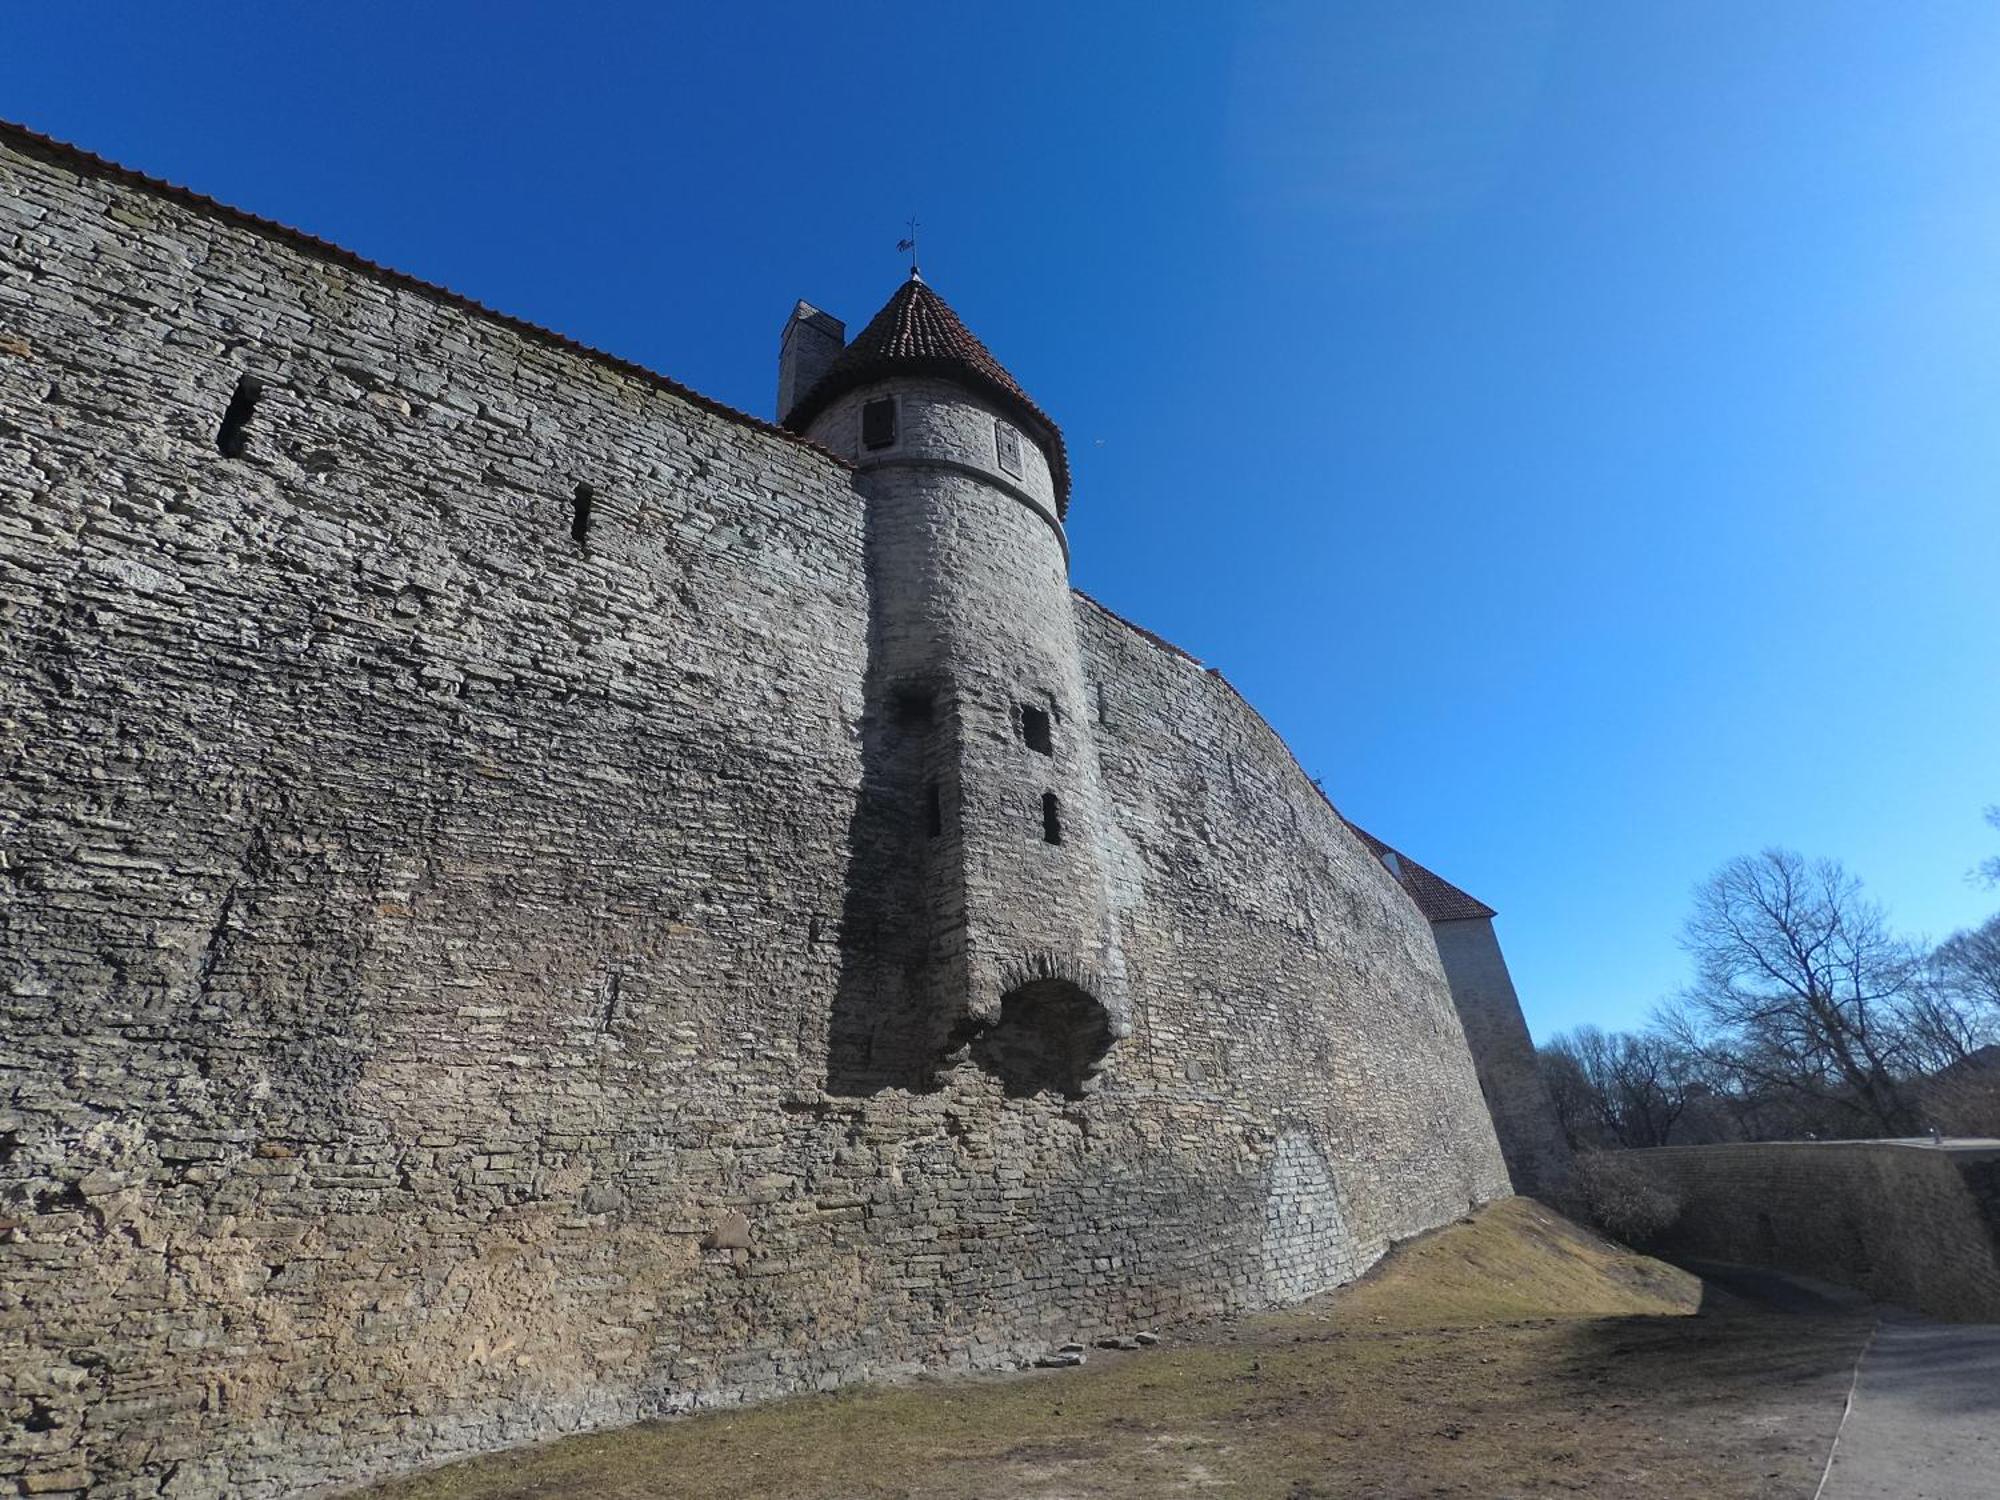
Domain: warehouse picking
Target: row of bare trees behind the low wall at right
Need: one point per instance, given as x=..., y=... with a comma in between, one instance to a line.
x=1809, y=1017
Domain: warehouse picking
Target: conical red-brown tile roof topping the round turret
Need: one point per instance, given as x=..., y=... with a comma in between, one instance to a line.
x=917, y=333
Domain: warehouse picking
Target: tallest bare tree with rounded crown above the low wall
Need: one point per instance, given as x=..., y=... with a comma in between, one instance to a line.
x=1803, y=985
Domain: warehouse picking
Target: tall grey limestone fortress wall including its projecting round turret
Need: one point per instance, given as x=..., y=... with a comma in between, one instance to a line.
x=535, y=901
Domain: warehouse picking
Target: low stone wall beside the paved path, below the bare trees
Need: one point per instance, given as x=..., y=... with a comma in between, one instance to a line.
x=1905, y=1223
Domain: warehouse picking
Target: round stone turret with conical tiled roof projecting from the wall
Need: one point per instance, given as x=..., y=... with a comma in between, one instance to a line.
x=979, y=921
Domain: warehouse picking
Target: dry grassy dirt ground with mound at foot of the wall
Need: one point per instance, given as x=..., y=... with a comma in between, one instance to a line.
x=1509, y=1355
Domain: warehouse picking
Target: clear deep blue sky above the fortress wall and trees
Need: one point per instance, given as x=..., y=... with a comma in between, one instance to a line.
x=1577, y=427
